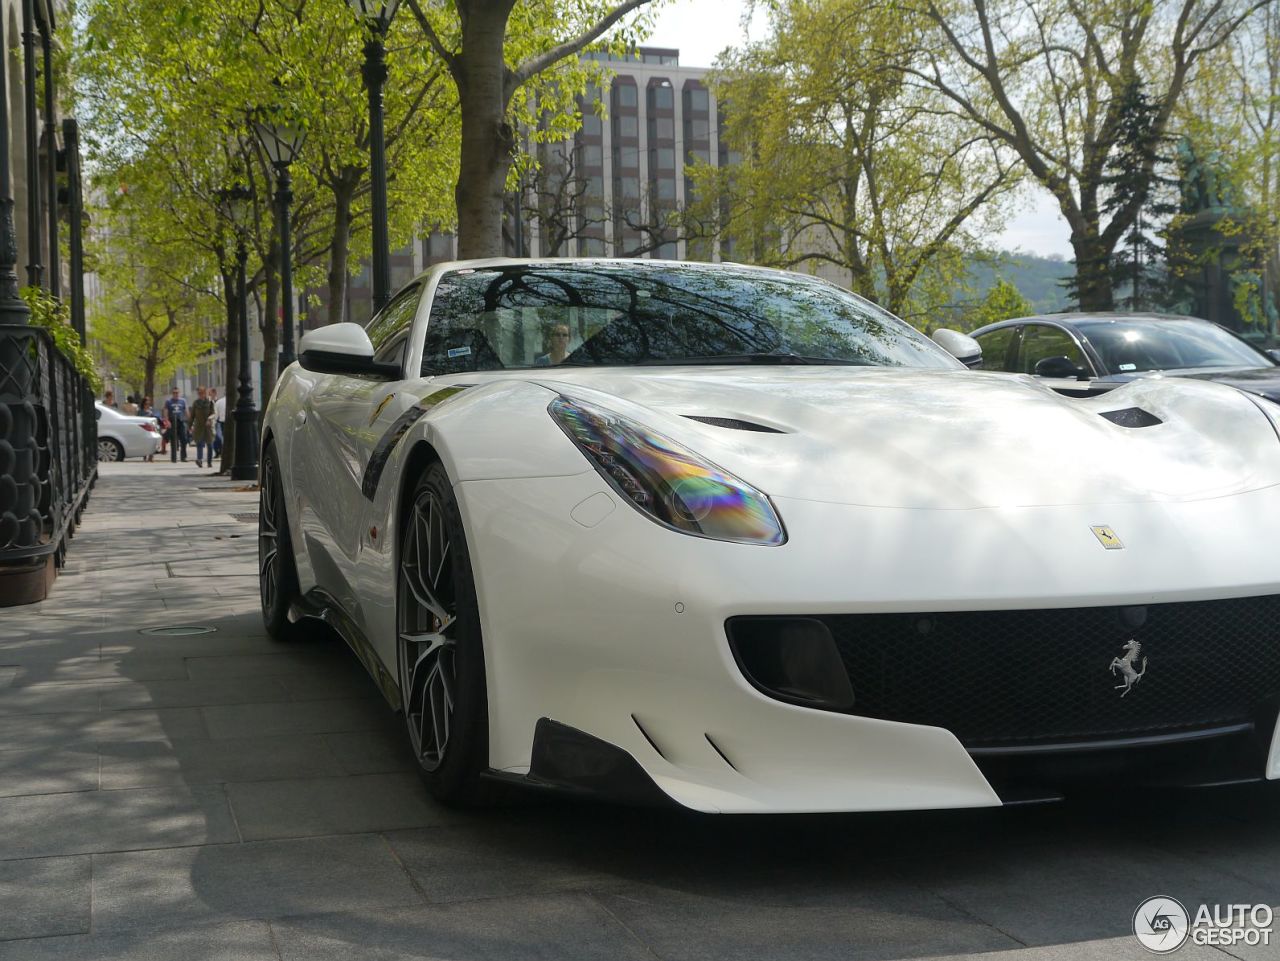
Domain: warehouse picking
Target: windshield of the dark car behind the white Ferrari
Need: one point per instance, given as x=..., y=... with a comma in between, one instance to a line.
x=1133, y=347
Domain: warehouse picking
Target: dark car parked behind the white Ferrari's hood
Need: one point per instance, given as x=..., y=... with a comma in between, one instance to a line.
x=1090, y=354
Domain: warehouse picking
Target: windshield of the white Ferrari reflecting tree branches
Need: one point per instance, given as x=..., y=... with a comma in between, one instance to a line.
x=600, y=314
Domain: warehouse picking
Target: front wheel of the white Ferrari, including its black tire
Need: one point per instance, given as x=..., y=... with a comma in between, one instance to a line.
x=440, y=647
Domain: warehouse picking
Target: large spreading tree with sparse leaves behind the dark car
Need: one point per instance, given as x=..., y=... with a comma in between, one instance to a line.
x=1049, y=80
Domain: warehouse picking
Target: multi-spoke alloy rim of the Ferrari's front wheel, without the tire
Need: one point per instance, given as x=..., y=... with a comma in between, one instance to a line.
x=428, y=620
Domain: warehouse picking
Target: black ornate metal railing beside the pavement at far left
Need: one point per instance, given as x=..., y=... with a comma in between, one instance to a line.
x=48, y=460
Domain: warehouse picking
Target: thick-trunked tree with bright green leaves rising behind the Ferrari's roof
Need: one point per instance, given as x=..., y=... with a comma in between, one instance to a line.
x=477, y=39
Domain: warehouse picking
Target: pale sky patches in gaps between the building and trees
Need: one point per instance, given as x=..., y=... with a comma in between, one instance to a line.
x=702, y=29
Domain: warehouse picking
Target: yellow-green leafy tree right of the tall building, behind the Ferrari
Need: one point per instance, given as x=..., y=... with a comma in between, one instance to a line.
x=842, y=162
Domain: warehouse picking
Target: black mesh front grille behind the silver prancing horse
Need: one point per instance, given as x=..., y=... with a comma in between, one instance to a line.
x=1026, y=678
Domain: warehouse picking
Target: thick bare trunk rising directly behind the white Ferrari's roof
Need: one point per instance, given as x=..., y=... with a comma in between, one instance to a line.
x=488, y=140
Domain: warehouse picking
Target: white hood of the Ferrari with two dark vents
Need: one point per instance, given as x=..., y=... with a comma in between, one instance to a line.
x=947, y=440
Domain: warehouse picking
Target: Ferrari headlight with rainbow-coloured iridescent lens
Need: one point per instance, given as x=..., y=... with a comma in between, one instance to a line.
x=669, y=482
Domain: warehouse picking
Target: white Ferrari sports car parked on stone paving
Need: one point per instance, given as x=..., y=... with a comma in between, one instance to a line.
x=740, y=541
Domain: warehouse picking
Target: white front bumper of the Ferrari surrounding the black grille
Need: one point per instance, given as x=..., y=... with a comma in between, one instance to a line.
x=614, y=626
